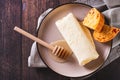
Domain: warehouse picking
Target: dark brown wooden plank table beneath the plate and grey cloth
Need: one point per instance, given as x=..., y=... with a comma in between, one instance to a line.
x=15, y=49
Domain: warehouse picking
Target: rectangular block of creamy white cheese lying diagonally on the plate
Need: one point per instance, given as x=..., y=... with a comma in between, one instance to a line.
x=77, y=39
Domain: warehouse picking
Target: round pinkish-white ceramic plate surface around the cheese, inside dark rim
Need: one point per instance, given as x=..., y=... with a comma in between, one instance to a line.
x=49, y=33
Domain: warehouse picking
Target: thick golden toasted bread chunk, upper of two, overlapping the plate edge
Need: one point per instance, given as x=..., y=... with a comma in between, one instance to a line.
x=94, y=20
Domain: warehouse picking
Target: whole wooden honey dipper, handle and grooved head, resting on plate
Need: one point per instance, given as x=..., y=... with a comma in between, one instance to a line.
x=58, y=51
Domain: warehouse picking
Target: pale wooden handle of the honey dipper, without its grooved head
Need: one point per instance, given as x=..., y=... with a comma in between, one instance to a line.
x=33, y=38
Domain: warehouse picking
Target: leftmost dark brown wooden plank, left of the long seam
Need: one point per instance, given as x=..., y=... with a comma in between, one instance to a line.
x=10, y=43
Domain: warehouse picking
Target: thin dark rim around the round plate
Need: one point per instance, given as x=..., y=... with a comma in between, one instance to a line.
x=47, y=64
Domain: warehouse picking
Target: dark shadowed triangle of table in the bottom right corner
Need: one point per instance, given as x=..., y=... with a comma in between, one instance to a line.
x=110, y=72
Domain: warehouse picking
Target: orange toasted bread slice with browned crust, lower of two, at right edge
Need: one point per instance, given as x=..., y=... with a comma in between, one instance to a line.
x=107, y=33
